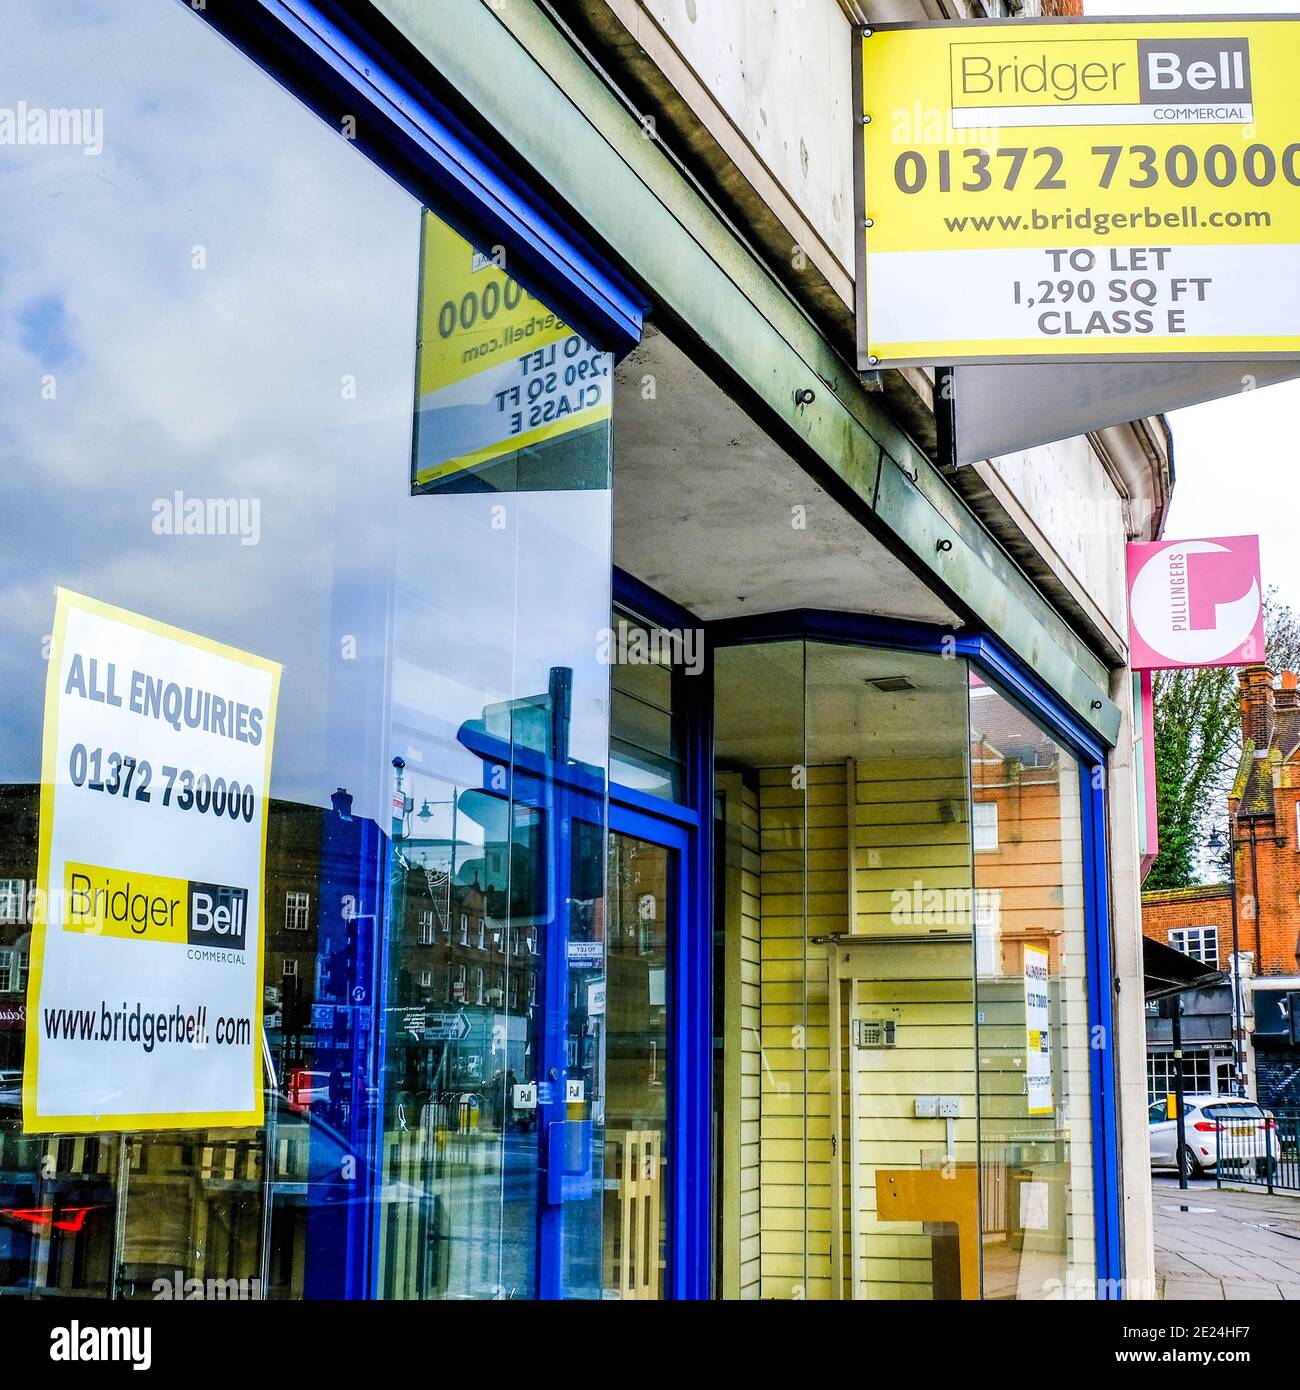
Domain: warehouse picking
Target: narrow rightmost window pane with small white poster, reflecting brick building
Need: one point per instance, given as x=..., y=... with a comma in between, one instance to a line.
x=1032, y=1022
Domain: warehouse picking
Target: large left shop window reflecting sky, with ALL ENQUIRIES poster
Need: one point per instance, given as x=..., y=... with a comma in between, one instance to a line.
x=268, y=451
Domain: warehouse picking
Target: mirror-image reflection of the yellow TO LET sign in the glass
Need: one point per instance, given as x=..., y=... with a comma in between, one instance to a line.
x=497, y=372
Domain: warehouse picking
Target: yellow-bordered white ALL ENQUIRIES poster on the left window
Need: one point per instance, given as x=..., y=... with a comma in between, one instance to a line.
x=145, y=985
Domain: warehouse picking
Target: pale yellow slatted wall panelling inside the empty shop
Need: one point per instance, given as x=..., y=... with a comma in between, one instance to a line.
x=904, y=836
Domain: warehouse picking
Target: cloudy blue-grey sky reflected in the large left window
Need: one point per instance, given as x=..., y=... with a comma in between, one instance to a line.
x=223, y=304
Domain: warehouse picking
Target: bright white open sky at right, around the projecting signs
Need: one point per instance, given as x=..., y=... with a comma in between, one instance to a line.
x=1237, y=458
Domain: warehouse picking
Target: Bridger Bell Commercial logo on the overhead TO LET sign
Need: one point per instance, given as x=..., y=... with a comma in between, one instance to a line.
x=1102, y=83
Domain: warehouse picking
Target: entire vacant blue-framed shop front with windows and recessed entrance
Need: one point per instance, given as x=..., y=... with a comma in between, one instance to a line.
x=663, y=886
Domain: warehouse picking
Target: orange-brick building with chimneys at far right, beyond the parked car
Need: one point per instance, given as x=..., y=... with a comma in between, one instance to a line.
x=1265, y=812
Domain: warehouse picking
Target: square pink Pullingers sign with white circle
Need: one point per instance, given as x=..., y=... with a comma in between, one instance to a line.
x=1195, y=604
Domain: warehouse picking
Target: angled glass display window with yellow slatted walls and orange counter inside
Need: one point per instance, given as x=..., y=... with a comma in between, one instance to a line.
x=903, y=1058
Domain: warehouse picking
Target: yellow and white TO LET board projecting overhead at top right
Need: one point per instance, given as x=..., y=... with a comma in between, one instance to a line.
x=1056, y=191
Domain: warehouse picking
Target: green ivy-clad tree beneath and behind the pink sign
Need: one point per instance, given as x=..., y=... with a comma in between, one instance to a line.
x=1199, y=746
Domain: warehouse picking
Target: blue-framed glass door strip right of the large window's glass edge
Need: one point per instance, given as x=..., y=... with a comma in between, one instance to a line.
x=644, y=911
